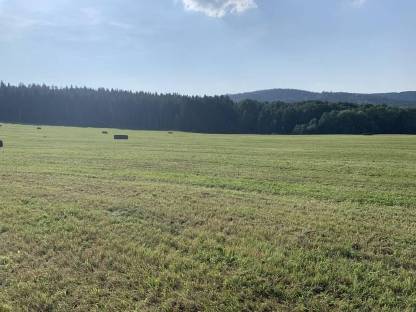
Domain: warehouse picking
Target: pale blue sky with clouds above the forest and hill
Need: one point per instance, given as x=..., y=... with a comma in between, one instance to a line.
x=210, y=46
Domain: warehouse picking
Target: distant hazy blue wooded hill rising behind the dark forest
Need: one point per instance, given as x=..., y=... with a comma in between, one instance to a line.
x=292, y=96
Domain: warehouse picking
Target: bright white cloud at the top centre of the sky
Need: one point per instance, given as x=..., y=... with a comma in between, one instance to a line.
x=219, y=8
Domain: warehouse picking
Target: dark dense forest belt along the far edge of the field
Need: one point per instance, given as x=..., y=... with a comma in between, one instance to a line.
x=36, y=104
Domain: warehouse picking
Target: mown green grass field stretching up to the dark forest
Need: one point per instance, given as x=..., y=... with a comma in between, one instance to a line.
x=192, y=222
